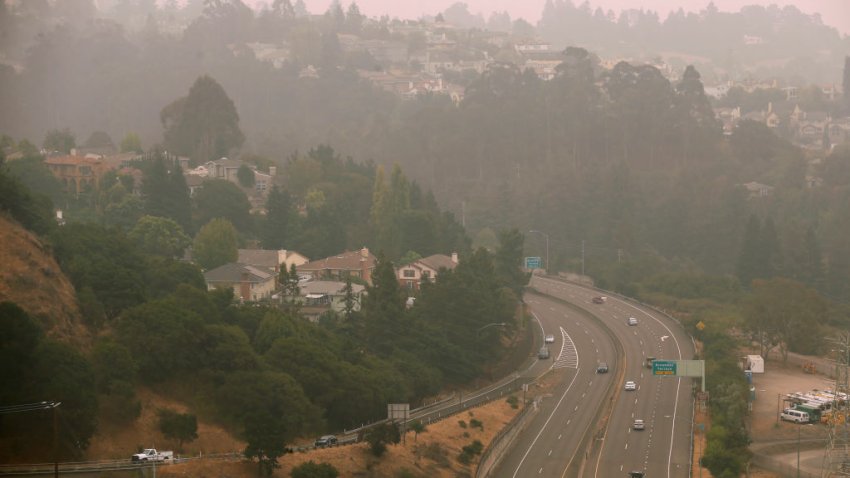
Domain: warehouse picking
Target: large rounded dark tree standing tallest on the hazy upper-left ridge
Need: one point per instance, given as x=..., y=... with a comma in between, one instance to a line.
x=203, y=125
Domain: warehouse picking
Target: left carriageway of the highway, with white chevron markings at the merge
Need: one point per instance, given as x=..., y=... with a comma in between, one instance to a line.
x=548, y=445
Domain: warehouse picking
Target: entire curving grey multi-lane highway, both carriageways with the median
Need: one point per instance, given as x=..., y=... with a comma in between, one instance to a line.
x=575, y=434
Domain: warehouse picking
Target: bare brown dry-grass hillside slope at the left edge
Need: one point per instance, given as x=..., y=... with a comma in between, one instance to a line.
x=31, y=278
